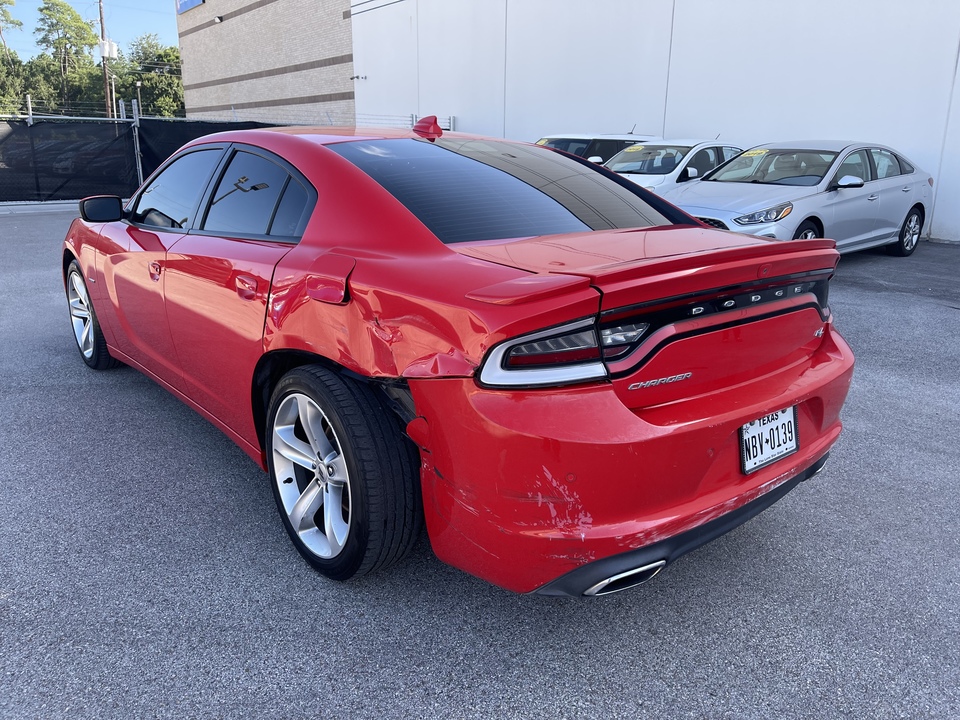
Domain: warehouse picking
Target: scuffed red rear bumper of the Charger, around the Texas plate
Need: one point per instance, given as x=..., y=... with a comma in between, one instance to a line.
x=554, y=490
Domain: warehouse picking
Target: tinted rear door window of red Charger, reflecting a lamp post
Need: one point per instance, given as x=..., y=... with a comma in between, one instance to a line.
x=246, y=196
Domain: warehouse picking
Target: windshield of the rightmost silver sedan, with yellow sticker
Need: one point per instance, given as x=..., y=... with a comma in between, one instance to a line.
x=776, y=167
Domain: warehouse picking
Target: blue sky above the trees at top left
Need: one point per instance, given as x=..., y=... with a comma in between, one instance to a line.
x=125, y=20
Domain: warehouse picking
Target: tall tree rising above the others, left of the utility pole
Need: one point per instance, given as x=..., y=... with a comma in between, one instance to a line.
x=68, y=38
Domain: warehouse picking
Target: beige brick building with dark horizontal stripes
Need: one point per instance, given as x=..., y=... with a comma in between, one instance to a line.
x=286, y=61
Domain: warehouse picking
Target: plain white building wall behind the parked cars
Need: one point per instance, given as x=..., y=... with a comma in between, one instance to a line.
x=753, y=71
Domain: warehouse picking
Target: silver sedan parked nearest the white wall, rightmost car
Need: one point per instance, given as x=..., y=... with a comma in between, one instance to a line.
x=858, y=194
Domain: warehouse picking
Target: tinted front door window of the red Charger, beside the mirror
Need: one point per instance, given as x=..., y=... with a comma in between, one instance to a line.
x=170, y=200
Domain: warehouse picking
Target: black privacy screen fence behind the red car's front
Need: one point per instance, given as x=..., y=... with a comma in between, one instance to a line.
x=53, y=159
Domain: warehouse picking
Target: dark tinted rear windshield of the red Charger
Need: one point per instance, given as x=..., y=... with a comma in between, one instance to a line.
x=469, y=190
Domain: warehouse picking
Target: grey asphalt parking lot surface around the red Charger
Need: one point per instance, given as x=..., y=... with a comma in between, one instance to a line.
x=144, y=571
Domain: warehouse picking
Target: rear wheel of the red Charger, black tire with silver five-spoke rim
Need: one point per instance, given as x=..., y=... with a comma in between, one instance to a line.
x=360, y=509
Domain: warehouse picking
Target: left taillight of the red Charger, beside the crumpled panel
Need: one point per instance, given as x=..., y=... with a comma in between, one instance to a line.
x=559, y=356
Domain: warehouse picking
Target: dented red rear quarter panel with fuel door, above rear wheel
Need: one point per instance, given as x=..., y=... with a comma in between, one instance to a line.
x=404, y=310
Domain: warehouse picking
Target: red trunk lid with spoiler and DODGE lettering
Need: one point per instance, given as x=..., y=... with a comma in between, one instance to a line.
x=723, y=310
